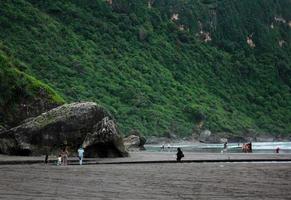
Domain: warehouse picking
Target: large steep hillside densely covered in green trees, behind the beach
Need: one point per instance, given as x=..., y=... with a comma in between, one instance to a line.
x=153, y=69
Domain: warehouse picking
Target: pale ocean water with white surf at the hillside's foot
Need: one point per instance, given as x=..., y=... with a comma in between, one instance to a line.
x=258, y=147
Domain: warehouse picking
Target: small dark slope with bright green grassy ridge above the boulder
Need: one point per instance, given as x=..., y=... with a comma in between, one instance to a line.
x=22, y=96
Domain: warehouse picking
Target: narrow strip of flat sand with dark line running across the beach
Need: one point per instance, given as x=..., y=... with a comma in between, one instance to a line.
x=157, y=157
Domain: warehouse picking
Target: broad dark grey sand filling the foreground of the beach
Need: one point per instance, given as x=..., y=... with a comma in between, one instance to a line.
x=147, y=181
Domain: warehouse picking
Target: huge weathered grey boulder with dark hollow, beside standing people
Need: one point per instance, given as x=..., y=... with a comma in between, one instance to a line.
x=70, y=125
